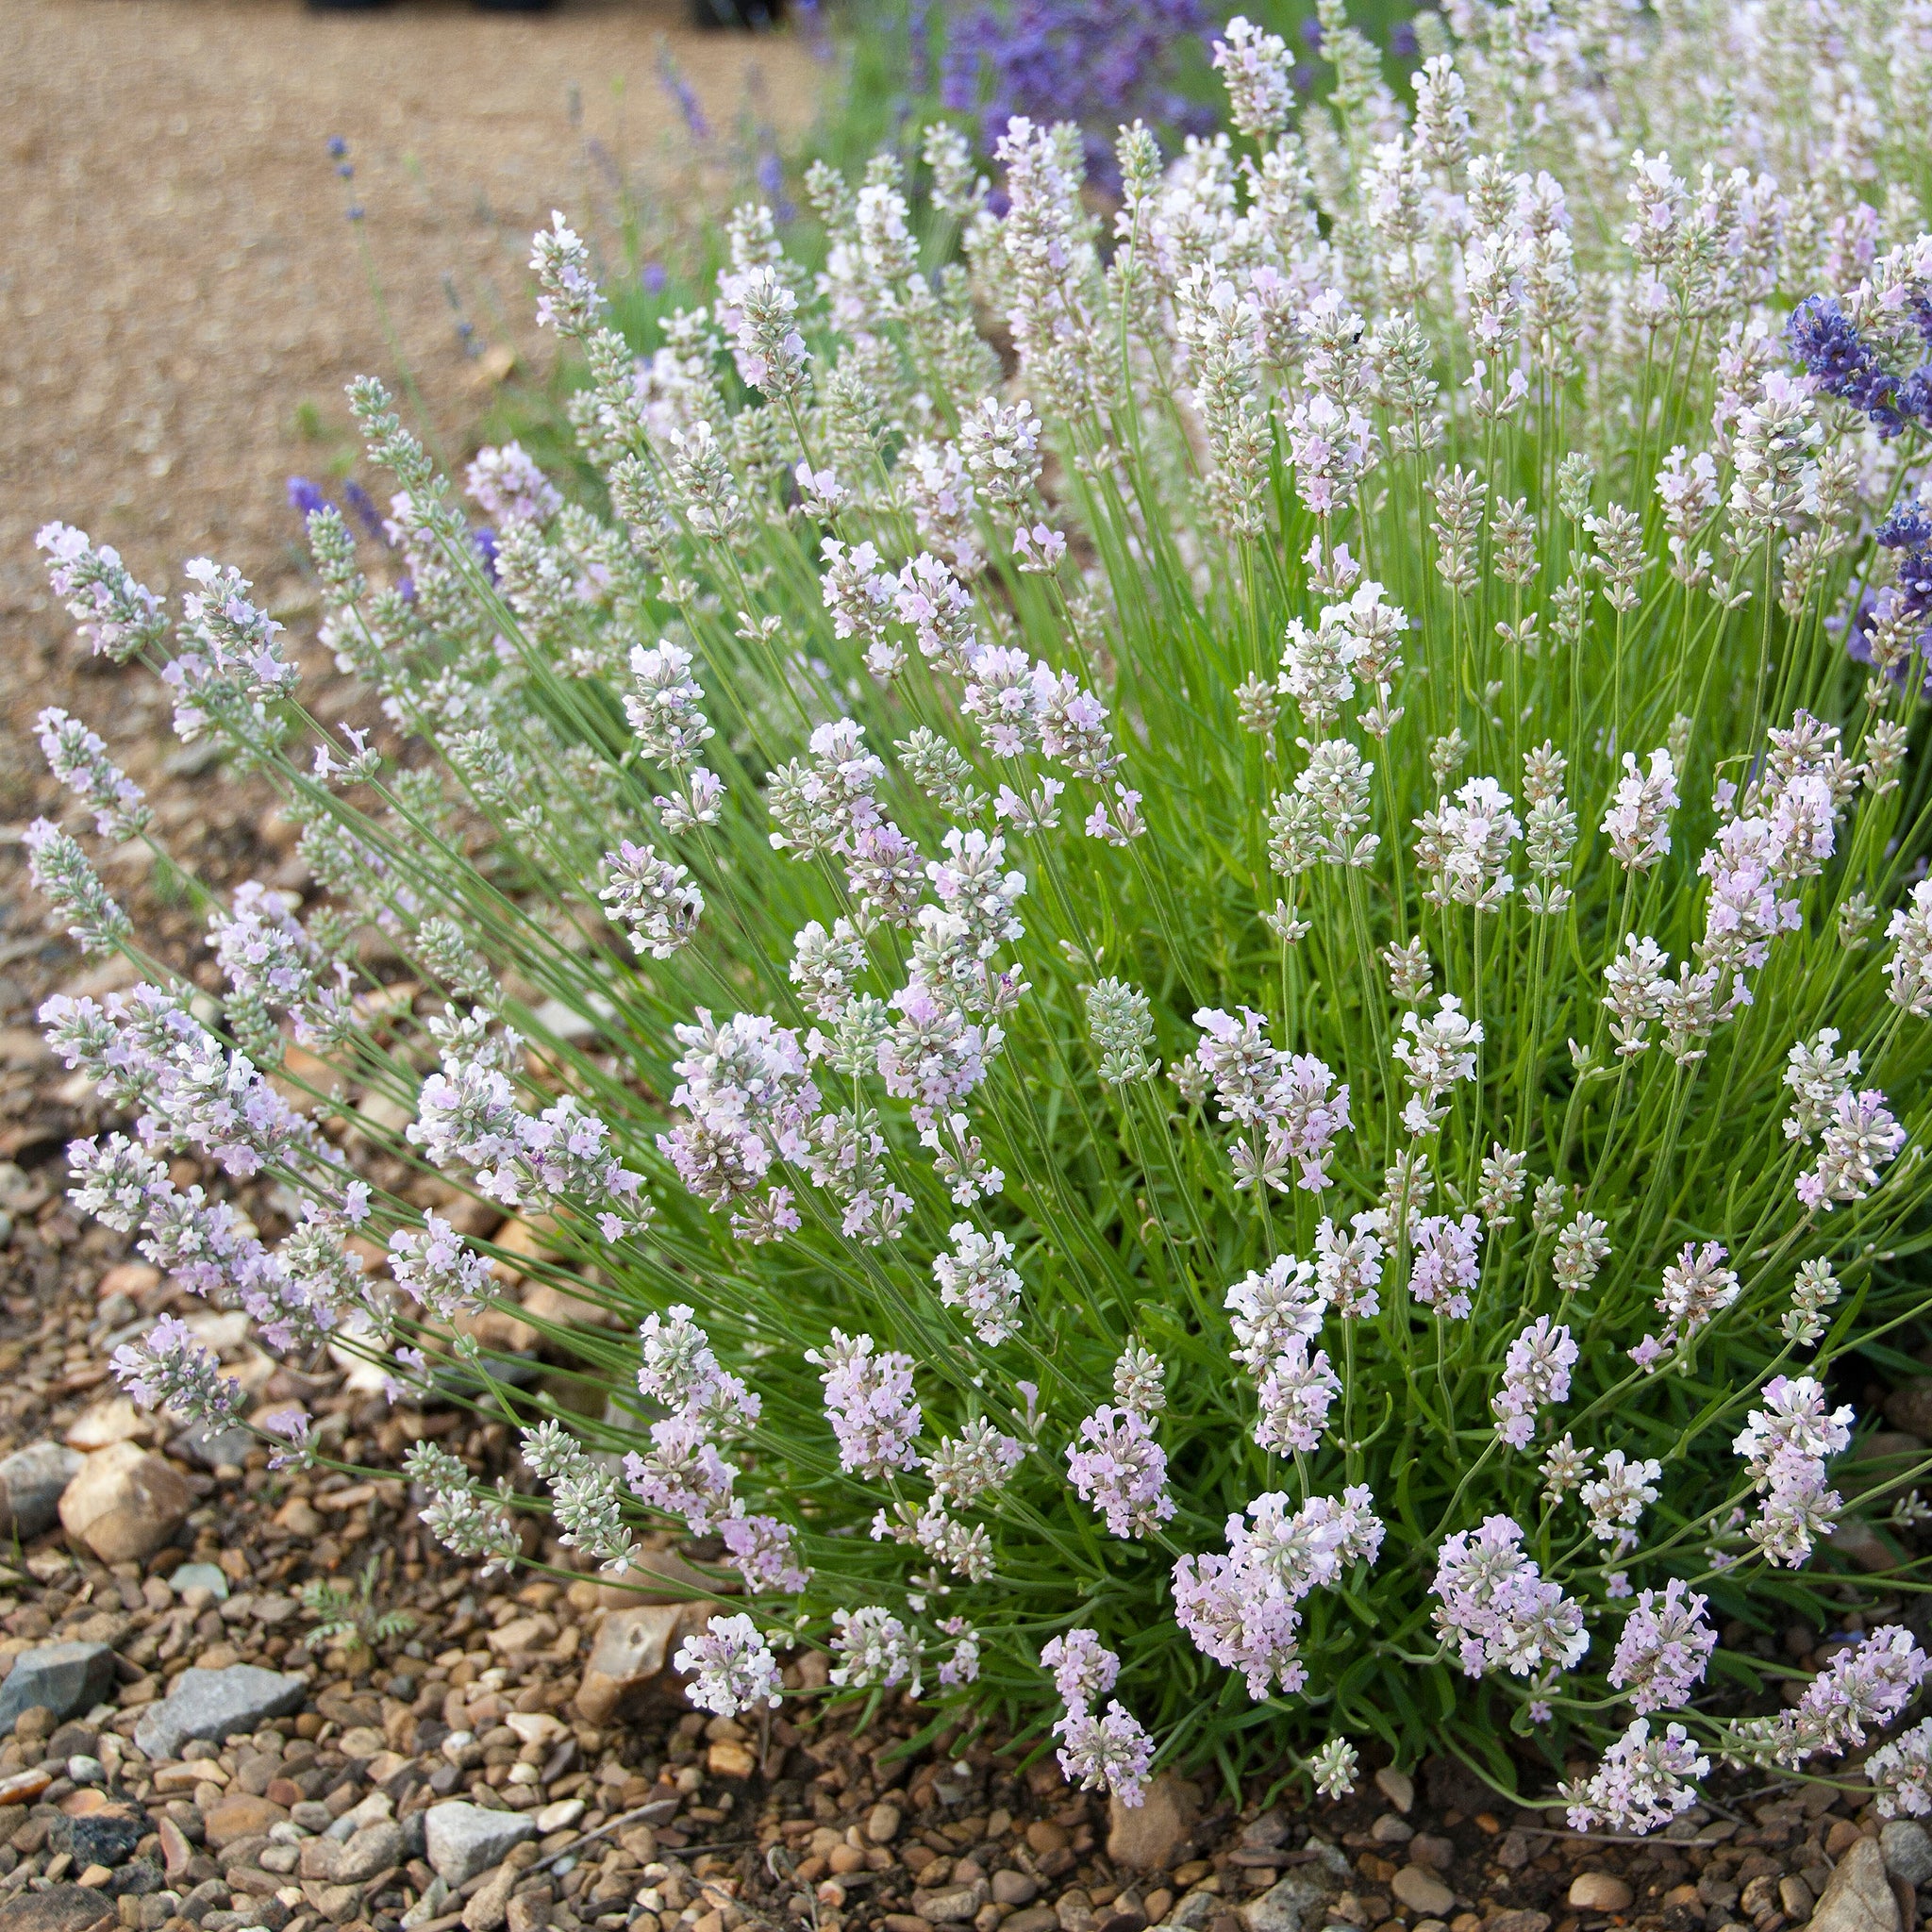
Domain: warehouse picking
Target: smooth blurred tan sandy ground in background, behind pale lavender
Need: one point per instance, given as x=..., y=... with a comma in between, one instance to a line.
x=177, y=271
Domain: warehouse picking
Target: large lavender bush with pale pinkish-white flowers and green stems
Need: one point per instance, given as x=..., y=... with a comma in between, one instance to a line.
x=1239, y=1009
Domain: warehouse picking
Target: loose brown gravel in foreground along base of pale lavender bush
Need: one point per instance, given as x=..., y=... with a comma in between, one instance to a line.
x=662, y=1819
